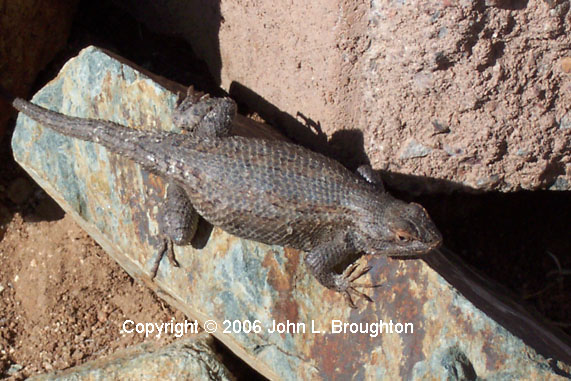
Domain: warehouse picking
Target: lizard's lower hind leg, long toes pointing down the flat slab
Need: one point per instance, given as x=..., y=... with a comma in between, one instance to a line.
x=178, y=222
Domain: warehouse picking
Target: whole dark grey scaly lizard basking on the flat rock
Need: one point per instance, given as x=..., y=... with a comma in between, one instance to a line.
x=269, y=191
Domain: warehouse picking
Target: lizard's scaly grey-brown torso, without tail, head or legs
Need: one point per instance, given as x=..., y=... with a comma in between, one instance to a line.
x=269, y=191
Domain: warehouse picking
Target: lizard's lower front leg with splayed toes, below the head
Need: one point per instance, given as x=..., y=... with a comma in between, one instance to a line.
x=322, y=261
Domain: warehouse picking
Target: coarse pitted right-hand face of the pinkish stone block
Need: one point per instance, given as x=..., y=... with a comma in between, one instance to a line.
x=491, y=74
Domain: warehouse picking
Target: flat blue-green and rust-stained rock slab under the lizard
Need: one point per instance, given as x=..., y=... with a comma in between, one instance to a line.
x=234, y=282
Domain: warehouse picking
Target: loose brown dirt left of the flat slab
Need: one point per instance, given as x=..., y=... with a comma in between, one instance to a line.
x=63, y=300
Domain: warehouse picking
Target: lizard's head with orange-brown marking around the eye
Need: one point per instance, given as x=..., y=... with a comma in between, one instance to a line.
x=397, y=229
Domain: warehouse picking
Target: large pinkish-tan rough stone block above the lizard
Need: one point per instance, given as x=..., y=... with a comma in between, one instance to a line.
x=474, y=92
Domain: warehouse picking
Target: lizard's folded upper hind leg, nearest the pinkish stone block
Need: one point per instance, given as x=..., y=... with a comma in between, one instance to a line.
x=205, y=116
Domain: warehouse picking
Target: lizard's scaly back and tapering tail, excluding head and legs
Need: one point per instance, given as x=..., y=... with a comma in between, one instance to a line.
x=269, y=191
